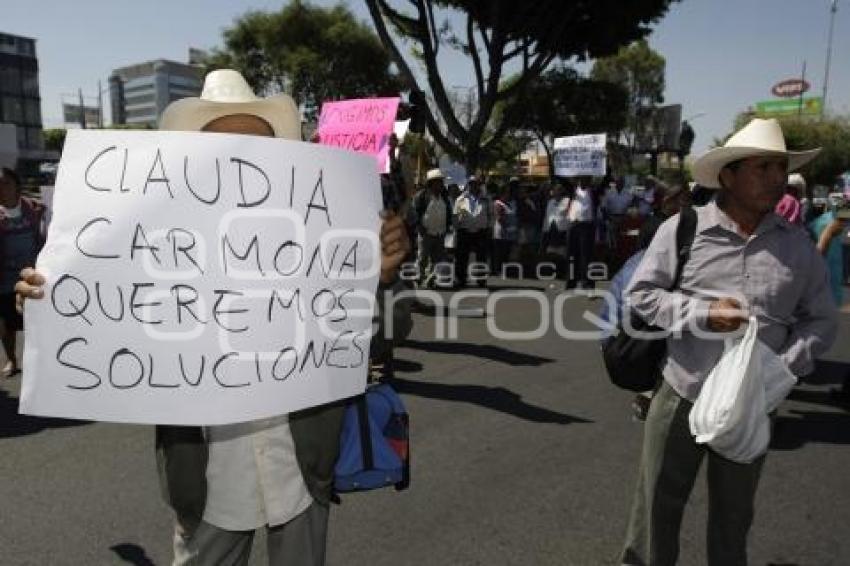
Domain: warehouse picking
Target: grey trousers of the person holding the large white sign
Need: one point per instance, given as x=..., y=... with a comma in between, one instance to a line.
x=300, y=542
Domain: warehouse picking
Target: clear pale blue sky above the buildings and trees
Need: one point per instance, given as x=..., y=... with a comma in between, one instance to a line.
x=722, y=55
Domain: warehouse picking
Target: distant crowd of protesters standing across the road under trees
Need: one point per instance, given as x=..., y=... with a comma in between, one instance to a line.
x=512, y=227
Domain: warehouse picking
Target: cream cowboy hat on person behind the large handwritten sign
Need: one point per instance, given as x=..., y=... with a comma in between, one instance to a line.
x=226, y=92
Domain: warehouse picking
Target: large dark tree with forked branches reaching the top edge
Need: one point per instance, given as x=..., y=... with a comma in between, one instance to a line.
x=498, y=36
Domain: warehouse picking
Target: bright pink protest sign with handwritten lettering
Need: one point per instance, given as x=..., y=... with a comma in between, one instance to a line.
x=363, y=125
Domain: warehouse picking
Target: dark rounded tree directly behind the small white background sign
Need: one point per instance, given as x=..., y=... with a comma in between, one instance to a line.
x=563, y=103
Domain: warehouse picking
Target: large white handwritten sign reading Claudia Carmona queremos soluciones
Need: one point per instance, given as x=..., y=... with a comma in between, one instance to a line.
x=197, y=278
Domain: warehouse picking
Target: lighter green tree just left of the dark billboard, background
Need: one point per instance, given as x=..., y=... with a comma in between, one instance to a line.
x=639, y=70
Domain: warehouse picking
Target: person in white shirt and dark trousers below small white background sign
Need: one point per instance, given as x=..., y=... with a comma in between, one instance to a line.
x=582, y=234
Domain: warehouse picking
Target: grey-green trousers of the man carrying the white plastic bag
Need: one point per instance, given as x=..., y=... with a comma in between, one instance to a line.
x=669, y=466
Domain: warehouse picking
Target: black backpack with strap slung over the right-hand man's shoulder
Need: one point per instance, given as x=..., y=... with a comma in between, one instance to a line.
x=635, y=363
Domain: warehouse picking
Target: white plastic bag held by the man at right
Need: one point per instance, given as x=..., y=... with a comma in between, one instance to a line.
x=731, y=411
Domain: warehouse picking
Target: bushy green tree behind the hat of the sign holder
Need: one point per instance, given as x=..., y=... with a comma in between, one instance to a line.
x=312, y=53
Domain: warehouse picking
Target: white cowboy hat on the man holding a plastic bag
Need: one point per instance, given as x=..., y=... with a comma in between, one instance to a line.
x=758, y=138
